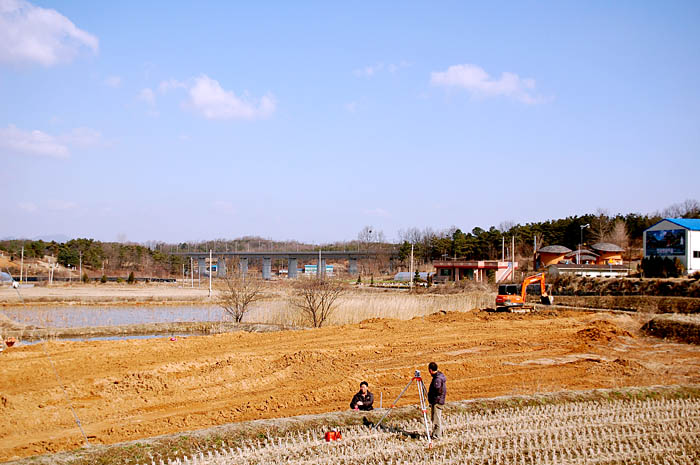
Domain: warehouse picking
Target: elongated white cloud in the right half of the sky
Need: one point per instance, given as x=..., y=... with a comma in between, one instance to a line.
x=474, y=79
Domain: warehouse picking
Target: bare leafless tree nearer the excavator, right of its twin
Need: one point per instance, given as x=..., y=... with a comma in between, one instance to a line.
x=315, y=299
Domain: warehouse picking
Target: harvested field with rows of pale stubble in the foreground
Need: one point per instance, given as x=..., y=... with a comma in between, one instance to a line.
x=615, y=432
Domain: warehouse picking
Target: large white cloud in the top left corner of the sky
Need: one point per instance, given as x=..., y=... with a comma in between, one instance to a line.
x=31, y=34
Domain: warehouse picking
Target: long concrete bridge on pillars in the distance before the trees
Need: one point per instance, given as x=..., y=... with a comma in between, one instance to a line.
x=291, y=257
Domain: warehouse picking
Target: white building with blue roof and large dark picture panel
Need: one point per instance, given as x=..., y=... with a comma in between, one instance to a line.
x=675, y=238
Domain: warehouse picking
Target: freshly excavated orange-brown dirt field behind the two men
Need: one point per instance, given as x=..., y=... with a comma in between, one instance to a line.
x=124, y=390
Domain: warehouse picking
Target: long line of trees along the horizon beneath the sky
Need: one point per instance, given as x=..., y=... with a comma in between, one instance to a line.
x=159, y=258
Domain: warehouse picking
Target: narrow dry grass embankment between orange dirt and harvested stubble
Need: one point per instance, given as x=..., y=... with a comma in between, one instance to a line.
x=171, y=447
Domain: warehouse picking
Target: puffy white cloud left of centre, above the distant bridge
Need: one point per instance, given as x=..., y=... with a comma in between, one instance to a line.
x=211, y=101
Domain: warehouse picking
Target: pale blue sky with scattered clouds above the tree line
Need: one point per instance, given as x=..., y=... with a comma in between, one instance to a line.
x=182, y=121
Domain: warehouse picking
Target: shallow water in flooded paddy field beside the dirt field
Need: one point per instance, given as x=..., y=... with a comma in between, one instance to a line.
x=72, y=316
